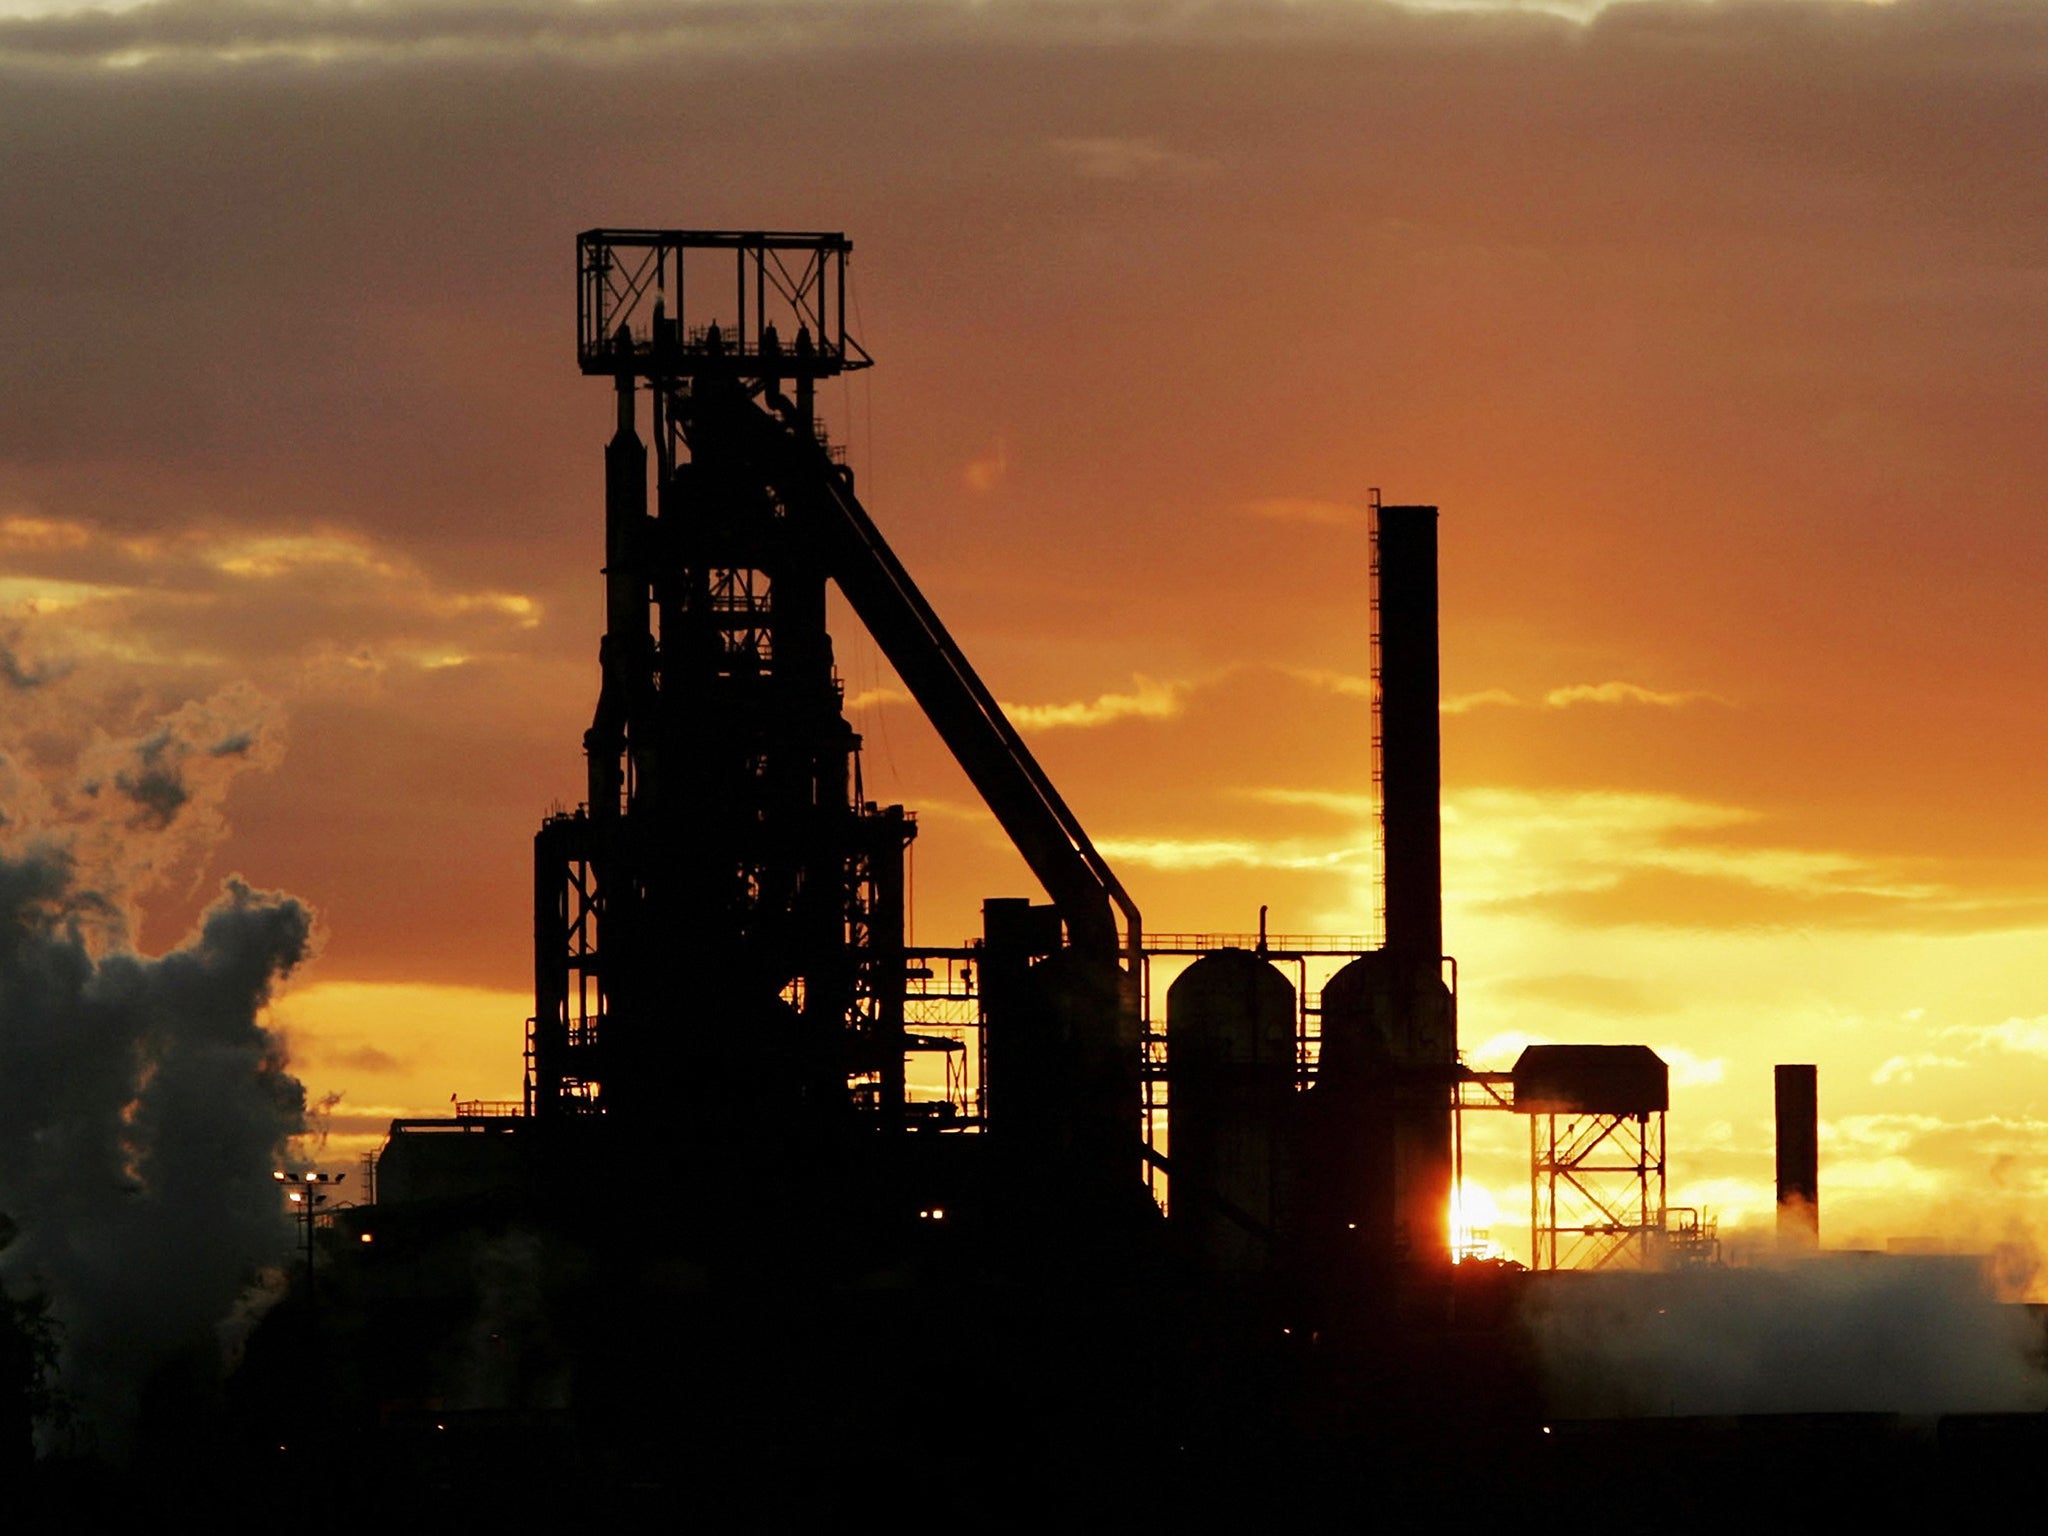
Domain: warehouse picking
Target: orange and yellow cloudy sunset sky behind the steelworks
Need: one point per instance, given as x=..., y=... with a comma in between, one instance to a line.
x=1717, y=331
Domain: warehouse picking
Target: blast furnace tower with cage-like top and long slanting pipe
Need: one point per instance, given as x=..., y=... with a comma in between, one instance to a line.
x=720, y=929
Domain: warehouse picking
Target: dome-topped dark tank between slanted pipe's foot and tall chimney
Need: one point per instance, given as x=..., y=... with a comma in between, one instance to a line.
x=1230, y=1029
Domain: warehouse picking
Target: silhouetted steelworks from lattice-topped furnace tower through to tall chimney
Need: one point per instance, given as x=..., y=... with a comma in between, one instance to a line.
x=722, y=978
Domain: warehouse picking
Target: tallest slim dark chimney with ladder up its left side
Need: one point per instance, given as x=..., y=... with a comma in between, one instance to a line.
x=1410, y=730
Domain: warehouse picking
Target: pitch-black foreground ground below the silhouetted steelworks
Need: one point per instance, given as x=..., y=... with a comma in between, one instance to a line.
x=503, y=1377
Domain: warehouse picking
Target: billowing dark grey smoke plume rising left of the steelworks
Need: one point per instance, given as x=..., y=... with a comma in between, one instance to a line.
x=142, y=1101
